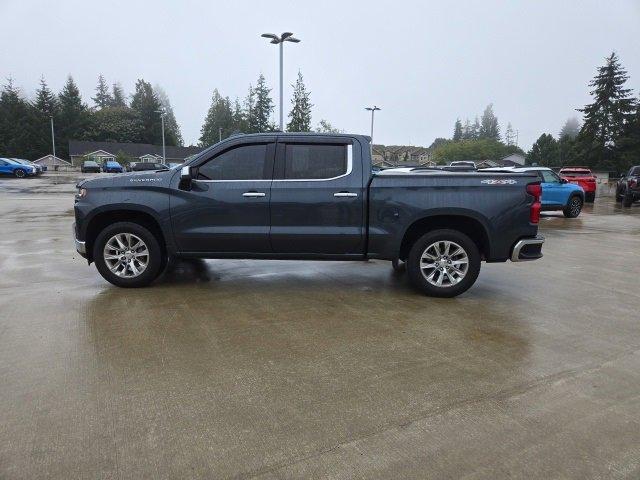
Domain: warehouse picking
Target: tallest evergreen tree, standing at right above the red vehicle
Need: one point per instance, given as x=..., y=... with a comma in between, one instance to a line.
x=604, y=120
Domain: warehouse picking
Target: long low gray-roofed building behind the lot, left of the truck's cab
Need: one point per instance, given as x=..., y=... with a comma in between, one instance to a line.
x=101, y=152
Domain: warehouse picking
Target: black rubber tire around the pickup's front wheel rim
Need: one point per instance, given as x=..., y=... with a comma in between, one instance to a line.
x=155, y=258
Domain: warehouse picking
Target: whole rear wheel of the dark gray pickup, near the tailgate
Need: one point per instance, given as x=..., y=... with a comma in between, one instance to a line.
x=443, y=263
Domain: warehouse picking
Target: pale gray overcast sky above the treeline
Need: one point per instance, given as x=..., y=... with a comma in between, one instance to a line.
x=425, y=63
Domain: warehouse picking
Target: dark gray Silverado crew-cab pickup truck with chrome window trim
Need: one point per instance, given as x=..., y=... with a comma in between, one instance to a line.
x=307, y=196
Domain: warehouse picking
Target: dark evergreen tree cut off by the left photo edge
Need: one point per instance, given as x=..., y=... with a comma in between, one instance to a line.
x=16, y=124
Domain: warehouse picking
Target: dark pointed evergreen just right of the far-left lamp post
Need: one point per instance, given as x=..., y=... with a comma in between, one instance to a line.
x=74, y=119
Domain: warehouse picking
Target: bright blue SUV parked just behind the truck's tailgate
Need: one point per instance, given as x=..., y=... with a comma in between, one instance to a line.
x=557, y=193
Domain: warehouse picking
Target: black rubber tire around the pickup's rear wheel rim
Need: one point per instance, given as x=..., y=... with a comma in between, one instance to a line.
x=420, y=281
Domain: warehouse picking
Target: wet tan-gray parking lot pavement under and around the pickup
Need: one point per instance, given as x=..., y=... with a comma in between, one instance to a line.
x=275, y=369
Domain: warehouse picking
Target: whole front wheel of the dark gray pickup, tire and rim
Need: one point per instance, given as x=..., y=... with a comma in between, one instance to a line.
x=128, y=255
